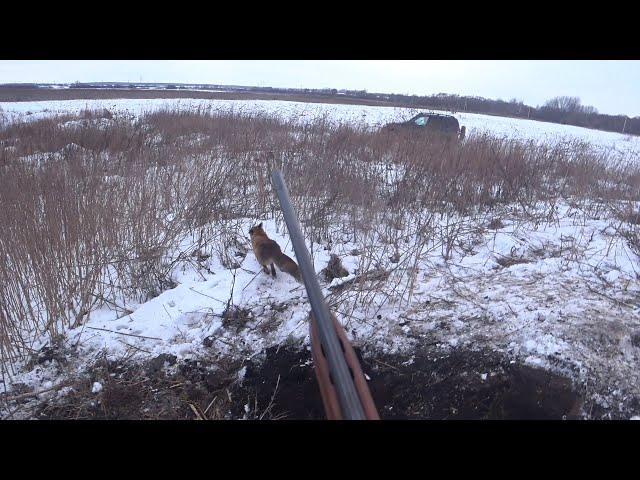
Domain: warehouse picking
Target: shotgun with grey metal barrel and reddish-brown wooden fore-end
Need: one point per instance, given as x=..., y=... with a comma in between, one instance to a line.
x=344, y=379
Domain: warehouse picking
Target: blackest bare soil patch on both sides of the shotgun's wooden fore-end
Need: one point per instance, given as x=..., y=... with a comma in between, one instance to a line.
x=461, y=385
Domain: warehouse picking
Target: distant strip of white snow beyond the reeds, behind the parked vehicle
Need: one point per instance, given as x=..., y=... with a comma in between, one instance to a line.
x=626, y=147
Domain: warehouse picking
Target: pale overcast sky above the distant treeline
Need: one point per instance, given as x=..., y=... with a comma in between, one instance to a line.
x=610, y=86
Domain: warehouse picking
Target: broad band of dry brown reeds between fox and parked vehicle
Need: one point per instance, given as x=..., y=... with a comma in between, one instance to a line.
x=94, y=208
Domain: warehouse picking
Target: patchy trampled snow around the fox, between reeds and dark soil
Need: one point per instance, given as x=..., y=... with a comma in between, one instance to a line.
x=568, y=303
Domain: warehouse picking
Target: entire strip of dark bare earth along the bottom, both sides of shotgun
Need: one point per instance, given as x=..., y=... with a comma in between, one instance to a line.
x=281, y=384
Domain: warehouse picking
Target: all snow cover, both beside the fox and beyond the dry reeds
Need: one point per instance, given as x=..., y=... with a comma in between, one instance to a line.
x=561, y=294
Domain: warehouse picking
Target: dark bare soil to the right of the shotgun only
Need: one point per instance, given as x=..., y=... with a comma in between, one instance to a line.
x=468, y=385
